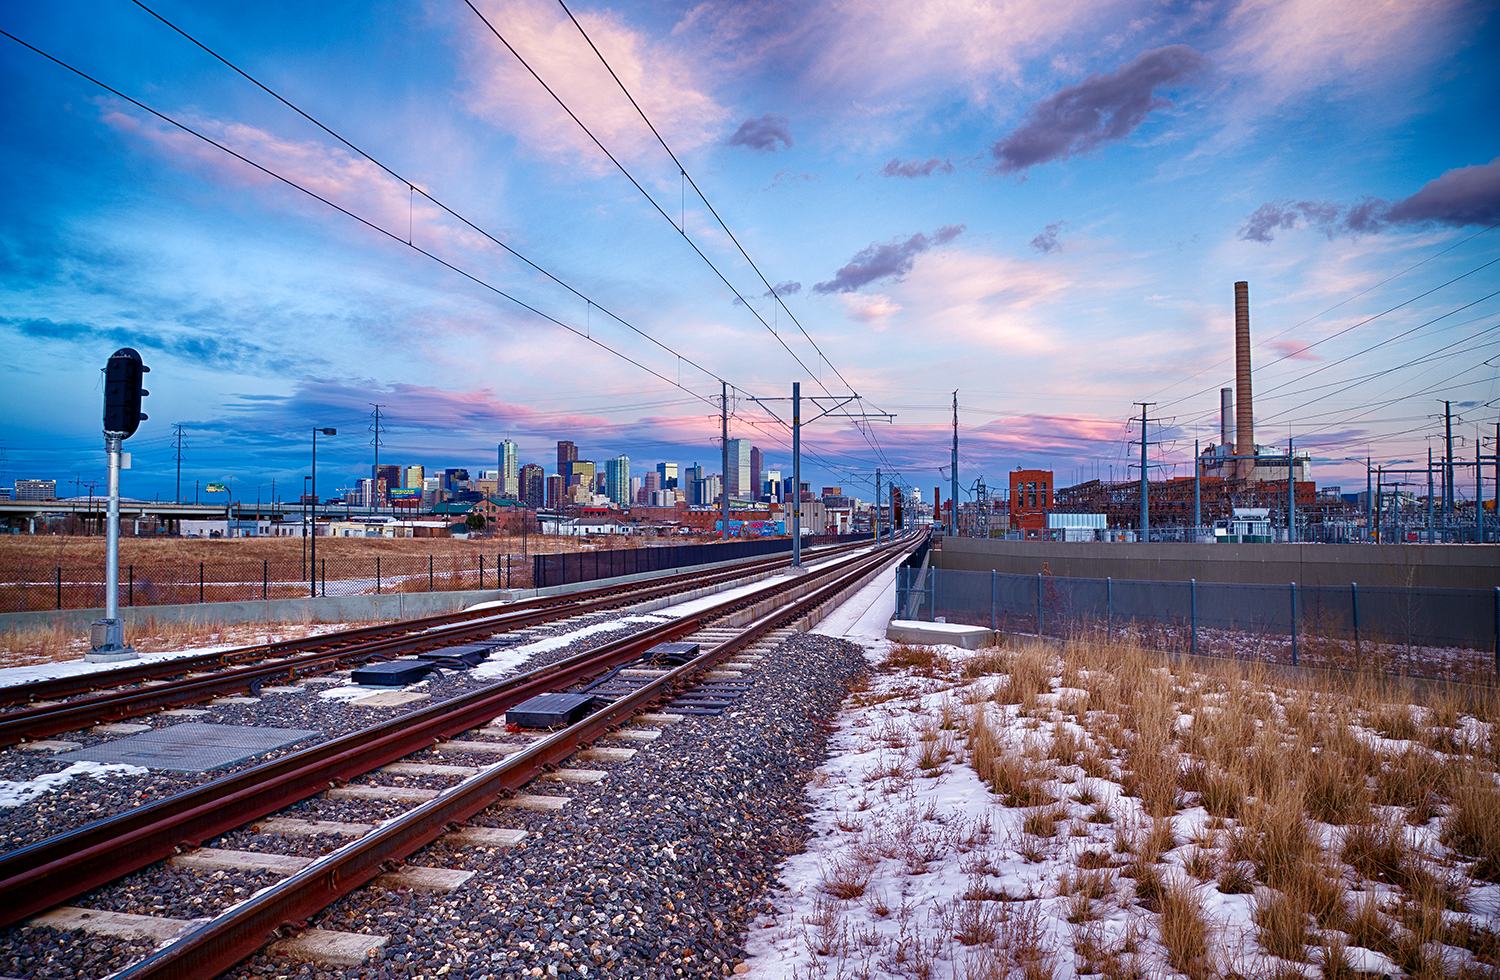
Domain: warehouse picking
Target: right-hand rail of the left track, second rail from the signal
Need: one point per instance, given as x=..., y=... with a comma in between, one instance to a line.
x=46, y=721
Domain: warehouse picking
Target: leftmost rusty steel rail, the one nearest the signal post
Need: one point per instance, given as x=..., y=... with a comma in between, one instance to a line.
x=136, y=673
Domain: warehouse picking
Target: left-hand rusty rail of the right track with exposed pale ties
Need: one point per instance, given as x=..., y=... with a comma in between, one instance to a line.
x=53, y=871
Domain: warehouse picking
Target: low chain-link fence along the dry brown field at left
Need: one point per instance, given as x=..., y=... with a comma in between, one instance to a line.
x=167, y=583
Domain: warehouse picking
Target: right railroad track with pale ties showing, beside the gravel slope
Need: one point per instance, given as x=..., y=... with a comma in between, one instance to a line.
x=55, y=871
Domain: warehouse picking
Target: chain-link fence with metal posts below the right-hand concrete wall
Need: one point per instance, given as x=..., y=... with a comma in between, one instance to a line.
x=1429, y=633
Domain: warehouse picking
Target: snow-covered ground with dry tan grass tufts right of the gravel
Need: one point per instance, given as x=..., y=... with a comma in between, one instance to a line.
x=917, y=868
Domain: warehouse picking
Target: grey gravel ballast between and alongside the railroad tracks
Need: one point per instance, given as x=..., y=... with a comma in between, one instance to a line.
x=655, y=873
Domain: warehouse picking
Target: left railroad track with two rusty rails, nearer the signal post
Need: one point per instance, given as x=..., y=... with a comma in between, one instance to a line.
x=143, y=690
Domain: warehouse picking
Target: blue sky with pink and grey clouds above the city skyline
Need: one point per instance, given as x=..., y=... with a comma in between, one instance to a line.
x=1043, y=206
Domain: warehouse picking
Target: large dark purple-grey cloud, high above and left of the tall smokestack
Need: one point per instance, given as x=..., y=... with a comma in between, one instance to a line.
x=1102, y=109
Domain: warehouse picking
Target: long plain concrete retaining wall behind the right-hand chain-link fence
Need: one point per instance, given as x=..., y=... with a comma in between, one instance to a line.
x=1427, y=567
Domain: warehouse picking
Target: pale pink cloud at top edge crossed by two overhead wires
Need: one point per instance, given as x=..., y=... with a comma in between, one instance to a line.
x=665, y=79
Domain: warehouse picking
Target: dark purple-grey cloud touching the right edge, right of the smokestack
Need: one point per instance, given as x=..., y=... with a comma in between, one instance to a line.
x=1466, y=196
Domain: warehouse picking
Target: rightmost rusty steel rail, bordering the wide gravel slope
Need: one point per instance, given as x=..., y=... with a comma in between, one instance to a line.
x=229, y=939
